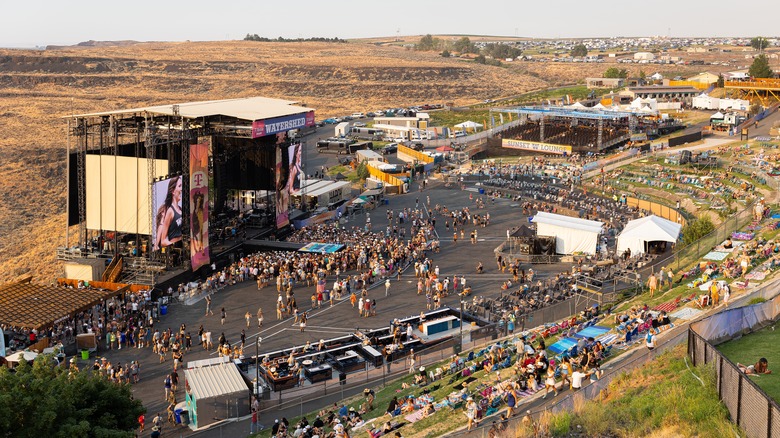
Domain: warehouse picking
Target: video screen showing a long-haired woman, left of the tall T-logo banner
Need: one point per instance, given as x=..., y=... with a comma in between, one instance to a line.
x=166, y=226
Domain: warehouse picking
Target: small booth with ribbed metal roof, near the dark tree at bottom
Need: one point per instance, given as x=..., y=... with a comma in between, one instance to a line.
x=215, y=390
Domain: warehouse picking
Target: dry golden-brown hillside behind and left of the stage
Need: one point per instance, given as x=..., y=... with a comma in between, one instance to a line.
x=38, y=89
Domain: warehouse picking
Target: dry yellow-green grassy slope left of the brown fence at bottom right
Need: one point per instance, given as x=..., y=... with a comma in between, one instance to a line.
x=662, y=398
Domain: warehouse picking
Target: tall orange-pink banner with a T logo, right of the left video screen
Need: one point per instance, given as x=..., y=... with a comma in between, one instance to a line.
x=199, y=205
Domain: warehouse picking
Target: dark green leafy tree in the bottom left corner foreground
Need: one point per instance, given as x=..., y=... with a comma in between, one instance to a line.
x=39, y=400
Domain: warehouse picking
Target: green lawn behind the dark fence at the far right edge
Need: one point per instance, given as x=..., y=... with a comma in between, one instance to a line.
x=749, y=348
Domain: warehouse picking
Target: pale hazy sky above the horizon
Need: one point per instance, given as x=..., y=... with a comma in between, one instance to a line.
x=55, y=22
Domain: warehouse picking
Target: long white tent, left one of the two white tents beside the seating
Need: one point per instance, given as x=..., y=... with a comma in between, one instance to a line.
x=572, y=235
